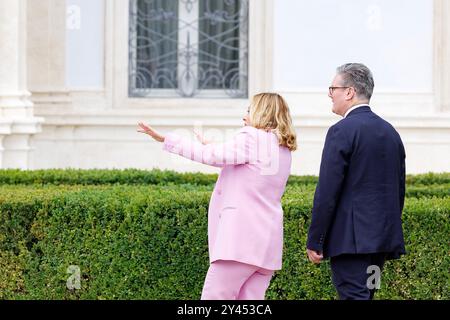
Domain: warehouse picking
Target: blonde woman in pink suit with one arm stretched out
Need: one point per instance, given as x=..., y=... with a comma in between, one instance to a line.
x=245, y=217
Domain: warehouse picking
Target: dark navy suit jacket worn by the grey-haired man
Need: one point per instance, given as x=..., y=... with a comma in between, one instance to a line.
x=360, y=194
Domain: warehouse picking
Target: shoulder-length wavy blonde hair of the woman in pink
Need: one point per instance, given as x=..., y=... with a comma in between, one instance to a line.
x=269, y=111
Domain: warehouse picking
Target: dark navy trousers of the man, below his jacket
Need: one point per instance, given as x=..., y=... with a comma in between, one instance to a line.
x=351, y=272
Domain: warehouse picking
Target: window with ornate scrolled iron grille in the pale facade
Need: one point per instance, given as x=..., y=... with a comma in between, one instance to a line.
x=188, y=48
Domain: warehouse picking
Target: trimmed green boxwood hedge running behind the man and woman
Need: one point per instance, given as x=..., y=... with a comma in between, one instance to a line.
x=142, y=235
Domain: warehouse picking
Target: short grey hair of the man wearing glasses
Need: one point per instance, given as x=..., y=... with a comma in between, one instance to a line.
x=358, y=76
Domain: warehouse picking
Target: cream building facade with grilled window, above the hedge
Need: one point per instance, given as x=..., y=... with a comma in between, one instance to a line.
x=77, y=75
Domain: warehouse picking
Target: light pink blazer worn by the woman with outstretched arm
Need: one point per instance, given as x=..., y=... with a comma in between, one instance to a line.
x=245, y=217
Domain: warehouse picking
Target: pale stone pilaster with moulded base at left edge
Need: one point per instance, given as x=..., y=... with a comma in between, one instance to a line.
x=17, y=122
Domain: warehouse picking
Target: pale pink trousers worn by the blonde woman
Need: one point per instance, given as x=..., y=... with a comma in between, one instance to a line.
x=232, y=280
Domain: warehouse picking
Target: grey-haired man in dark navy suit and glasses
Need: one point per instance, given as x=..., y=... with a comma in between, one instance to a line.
x=356, y=217
